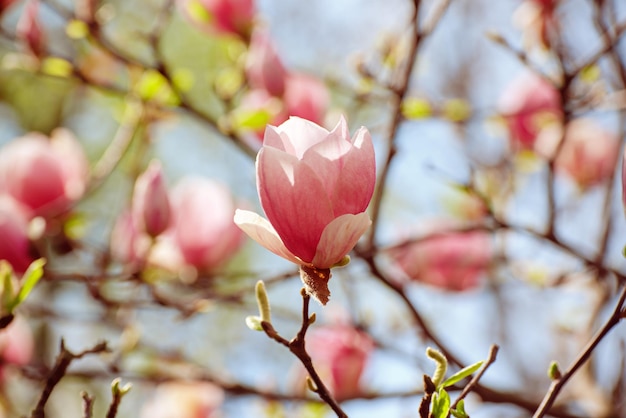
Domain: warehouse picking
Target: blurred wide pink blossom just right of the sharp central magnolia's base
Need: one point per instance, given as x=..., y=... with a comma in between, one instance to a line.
x=452, y=261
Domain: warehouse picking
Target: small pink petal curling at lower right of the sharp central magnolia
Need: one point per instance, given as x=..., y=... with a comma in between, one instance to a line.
x=339, y=238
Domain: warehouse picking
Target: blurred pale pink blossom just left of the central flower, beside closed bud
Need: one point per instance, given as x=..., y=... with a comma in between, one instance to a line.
x=202, y=233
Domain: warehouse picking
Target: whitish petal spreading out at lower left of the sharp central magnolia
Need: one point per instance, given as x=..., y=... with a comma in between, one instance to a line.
x=260, y=230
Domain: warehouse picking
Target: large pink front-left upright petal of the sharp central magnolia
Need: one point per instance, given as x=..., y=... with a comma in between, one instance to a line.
x=294, y=201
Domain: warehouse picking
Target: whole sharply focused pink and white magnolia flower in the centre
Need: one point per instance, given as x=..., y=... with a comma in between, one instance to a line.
x=314, y=186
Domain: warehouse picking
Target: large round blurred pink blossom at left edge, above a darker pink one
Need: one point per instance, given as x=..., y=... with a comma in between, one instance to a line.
x=46, y=174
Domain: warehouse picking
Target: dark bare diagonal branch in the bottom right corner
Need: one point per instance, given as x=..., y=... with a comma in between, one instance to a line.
x=559, y=383
